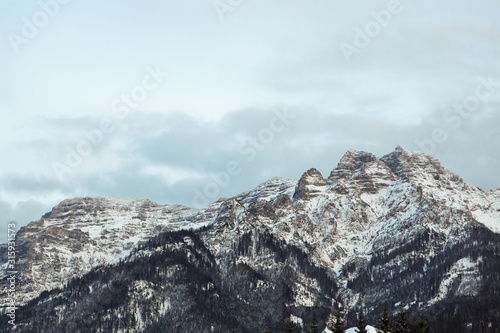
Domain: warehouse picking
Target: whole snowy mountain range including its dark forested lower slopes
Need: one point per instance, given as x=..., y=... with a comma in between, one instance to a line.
x=399, y=230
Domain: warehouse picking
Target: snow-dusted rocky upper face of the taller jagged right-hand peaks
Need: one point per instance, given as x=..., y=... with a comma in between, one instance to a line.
x=367, y=207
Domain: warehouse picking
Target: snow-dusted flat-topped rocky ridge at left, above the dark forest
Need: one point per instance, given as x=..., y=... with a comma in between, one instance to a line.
x=82, y=233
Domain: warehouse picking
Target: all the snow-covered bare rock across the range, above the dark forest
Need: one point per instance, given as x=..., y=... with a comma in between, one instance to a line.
x=368, y=209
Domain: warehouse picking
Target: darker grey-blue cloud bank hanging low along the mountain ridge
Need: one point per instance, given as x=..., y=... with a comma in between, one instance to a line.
x=169, y=143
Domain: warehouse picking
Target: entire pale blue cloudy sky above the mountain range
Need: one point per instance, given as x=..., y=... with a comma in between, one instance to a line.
x=183, y=102
